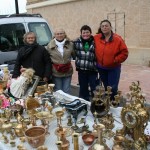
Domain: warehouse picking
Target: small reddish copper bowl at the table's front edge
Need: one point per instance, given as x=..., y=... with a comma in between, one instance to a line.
x=88, y=139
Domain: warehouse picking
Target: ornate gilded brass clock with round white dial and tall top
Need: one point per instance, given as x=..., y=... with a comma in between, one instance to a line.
x=135, y=117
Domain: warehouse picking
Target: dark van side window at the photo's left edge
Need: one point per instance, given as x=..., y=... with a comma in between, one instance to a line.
x=11, y=36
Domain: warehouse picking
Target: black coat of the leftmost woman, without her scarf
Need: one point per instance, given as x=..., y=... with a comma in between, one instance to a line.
x=38, y=59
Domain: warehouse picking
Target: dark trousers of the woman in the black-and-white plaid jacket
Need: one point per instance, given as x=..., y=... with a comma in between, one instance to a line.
x=87, y=79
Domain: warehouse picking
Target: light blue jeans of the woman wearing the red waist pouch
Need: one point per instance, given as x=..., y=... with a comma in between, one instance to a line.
x=62, y=83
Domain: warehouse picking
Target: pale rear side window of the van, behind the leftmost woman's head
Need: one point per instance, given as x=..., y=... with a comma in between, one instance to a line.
x=42, y=31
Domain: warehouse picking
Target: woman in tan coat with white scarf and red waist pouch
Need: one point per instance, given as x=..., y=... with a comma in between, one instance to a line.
x=60, y=49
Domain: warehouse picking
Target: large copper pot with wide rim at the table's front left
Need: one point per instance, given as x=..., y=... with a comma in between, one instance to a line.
x=35, y=136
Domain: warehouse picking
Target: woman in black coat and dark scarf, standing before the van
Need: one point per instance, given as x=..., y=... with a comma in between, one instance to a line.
x=32, y=55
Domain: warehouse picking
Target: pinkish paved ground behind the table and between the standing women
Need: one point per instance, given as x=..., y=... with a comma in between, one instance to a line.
x=129, y=74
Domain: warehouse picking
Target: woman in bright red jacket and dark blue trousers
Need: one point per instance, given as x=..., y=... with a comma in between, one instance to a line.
x=110, y=51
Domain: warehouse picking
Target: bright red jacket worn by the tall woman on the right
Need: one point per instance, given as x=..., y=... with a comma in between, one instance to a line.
x=110, y=54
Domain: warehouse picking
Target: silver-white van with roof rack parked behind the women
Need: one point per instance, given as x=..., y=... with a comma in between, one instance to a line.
x=12, y=29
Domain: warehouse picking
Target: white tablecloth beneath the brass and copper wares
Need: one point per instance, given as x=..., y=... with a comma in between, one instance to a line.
x=52, y=138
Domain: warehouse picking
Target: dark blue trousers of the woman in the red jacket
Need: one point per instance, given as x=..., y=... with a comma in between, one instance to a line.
x=110, y=77
